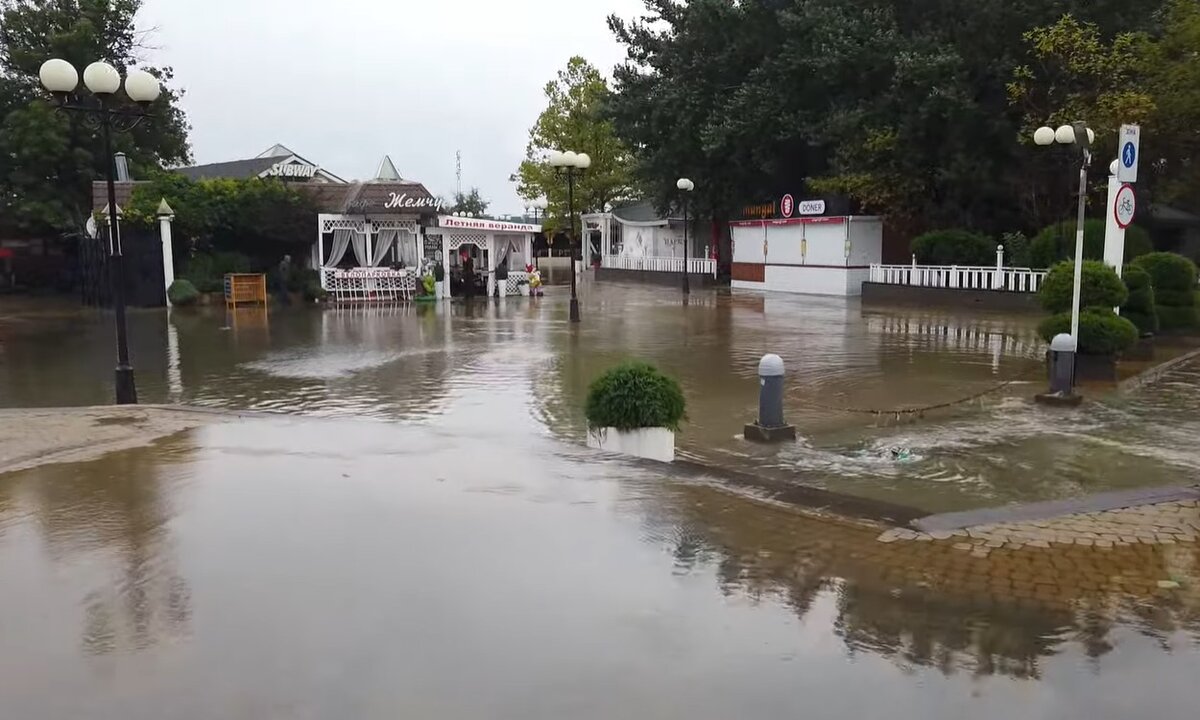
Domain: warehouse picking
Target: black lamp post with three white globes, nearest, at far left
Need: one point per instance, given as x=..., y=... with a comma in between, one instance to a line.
x=104, y=81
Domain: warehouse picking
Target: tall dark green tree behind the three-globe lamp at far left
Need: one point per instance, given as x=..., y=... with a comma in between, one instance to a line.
x=51, y=159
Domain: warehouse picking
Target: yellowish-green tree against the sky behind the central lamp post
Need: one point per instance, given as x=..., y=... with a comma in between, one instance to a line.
x=574, y=121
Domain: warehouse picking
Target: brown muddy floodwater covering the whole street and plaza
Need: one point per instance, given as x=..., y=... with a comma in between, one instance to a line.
x=421, y=532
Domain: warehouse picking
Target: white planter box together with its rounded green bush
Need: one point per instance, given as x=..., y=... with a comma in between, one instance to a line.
x=637, y=410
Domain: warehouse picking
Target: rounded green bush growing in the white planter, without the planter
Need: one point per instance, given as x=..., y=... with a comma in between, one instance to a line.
x=634, y=395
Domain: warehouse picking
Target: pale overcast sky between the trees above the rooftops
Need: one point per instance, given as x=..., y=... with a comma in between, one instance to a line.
x=345, y=83
